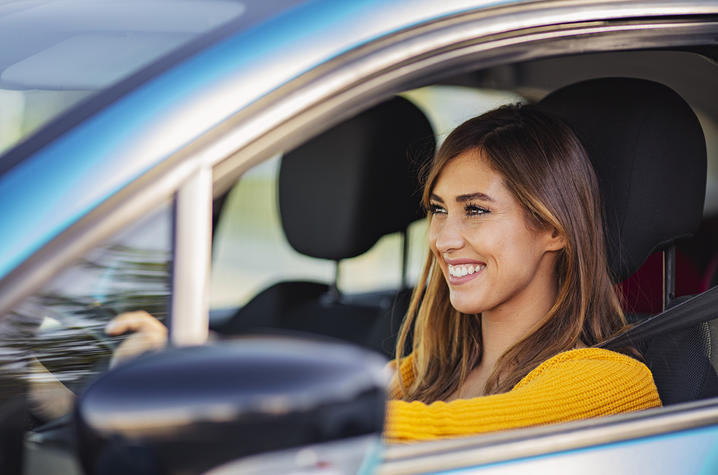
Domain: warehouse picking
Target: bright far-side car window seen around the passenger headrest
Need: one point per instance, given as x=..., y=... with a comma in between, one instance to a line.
x=250, y=249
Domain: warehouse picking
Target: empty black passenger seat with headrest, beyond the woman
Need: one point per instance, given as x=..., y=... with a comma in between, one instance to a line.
x=338, y=194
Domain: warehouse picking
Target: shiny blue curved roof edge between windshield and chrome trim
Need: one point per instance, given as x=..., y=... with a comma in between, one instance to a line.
x=90, y=152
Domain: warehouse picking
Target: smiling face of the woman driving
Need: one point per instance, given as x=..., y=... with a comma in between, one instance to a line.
x=492, y=258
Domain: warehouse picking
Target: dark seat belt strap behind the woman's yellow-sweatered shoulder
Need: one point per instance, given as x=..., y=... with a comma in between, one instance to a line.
x=695, y=310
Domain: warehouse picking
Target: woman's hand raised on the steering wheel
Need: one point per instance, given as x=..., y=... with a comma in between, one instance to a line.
x=148, y=334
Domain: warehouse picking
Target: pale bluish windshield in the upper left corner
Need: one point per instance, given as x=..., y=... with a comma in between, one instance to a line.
x=56, y=53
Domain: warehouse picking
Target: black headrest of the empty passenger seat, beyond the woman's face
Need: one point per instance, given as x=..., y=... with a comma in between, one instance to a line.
x=344, y=189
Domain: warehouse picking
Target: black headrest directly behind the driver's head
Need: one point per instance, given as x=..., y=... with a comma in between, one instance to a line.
x=648, y=150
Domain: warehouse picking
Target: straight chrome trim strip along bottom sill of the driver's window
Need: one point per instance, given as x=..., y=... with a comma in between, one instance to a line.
x=485, y=449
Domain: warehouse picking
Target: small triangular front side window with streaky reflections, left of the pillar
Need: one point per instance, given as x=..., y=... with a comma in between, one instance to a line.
x=53, y=343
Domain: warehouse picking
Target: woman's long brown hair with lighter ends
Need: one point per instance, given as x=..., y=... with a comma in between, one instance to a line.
x=546, y=168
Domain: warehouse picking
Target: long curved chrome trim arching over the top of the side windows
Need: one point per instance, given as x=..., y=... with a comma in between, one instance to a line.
x=324, y=96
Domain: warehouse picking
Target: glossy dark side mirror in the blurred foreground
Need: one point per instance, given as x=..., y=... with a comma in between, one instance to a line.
x=189, y=410
